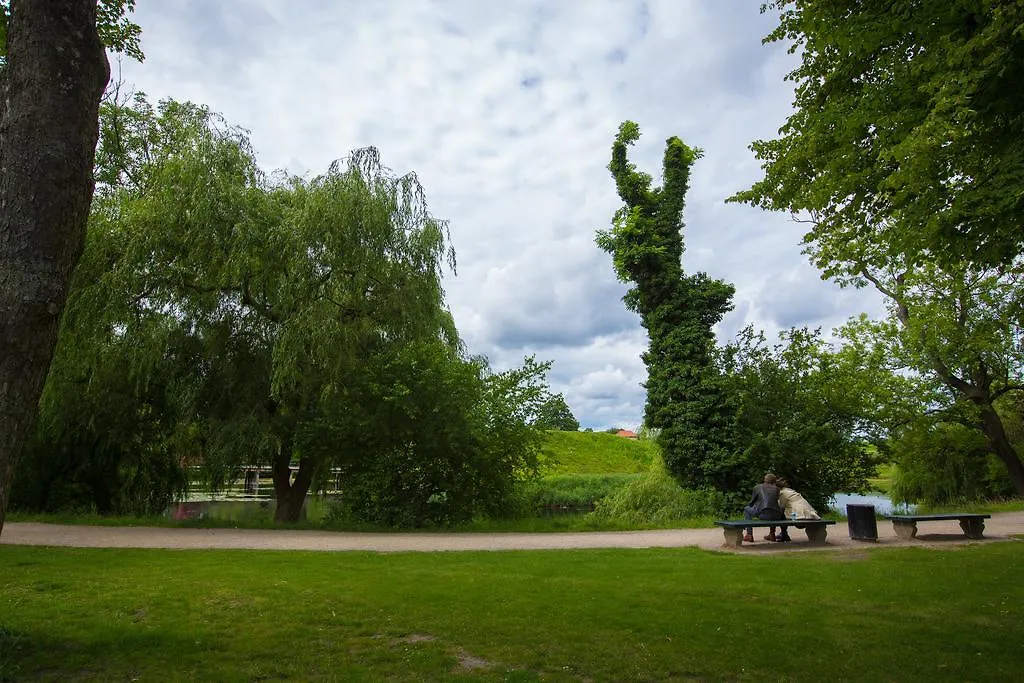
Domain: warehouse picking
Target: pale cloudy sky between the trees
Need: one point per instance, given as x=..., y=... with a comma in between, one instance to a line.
x=506, y=111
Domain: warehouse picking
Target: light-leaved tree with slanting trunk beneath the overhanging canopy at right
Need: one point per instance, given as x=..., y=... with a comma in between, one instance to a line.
x=961, y=330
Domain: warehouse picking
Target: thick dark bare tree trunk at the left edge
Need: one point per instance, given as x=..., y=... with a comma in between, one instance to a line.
x=50, y=107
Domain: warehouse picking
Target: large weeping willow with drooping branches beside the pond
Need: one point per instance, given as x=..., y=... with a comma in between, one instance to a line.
x=240, y=311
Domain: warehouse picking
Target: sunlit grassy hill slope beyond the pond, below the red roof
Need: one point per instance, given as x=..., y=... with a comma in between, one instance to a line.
x=599, y=453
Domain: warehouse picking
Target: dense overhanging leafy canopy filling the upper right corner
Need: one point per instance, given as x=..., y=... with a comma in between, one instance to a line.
x=909, y=130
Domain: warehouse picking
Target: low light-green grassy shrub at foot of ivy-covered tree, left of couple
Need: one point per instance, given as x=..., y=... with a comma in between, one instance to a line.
x=657, y=499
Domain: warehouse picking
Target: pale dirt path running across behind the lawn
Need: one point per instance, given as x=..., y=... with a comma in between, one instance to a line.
x=1001, y=528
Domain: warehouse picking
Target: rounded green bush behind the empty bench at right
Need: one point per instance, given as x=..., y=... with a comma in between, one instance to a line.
x=941, y=463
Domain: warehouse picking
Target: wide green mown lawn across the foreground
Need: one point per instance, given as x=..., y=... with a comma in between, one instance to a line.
x=873, y=615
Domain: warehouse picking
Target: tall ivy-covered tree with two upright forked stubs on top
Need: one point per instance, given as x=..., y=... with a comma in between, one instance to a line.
x=686, y=397
